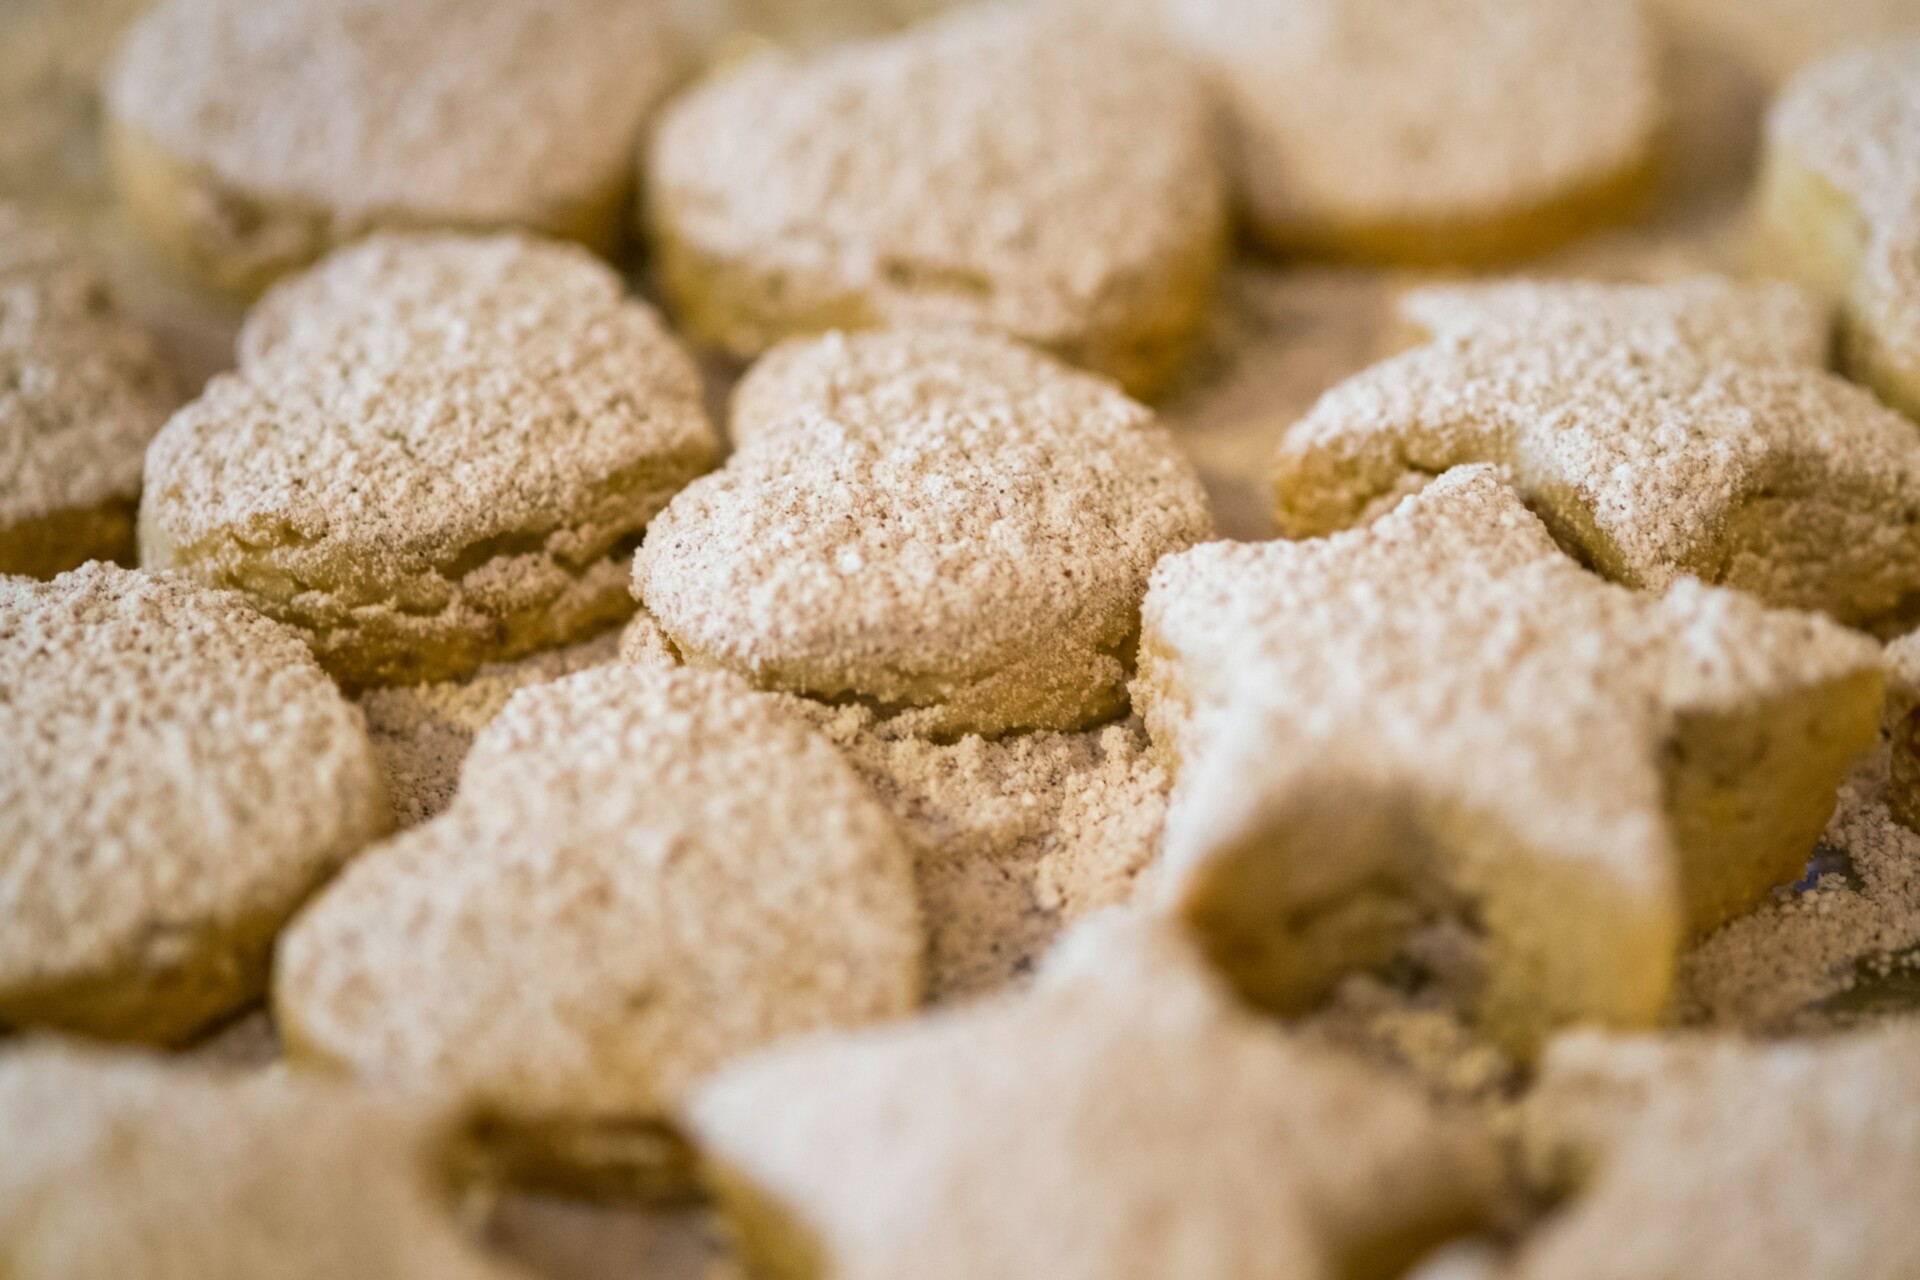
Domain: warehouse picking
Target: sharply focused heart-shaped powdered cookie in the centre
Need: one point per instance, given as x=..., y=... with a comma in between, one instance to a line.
x=926, y=521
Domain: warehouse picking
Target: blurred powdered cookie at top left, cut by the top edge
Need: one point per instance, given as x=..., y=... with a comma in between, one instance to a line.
x=252, y=137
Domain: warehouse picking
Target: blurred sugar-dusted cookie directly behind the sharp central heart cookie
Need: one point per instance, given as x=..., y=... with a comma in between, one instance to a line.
x=1003, y=168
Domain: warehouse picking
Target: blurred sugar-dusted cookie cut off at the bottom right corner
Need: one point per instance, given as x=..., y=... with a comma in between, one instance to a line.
x=1723, y=1160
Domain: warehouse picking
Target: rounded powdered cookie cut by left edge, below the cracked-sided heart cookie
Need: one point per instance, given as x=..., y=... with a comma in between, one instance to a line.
x=180, y=776
